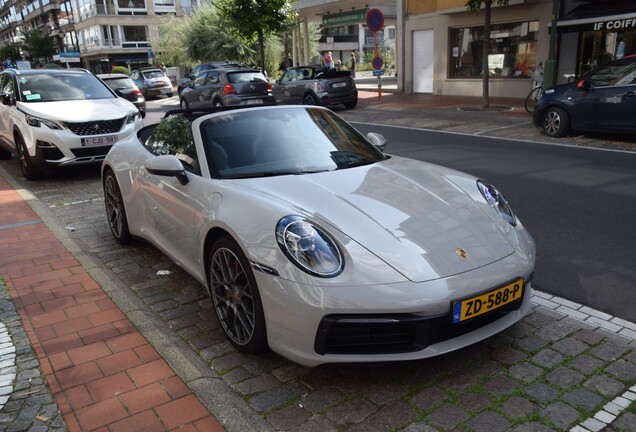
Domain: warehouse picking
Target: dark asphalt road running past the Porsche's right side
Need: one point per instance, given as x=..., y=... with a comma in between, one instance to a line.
x=578, y=203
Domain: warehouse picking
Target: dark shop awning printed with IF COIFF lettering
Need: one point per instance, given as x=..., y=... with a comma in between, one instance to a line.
x=611, y=15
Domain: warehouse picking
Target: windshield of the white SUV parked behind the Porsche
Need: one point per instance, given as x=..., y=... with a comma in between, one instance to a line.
x=51, y=87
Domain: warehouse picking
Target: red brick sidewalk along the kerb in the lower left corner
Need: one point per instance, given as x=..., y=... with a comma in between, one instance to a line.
x=101, y=371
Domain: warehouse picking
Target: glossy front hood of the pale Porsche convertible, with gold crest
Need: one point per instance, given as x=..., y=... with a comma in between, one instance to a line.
x=404, y=211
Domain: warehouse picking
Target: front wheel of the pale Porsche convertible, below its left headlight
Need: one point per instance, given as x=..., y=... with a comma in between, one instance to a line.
x=235, y=297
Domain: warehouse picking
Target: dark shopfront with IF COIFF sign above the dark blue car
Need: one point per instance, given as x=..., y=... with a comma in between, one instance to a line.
x=594, y=32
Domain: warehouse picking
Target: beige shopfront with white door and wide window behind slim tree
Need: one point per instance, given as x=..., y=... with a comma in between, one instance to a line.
x=444, y=48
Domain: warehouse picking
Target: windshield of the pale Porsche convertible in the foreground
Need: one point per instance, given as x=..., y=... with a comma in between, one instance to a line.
x=281, y=141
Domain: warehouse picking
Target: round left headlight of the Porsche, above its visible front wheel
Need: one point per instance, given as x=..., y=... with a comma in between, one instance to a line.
x=309, y=247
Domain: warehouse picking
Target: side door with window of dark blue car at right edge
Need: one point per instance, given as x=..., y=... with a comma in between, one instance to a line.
x=610, y=101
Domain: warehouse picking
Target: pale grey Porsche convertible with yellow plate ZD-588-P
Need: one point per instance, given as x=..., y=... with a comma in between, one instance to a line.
x=314, y=242
